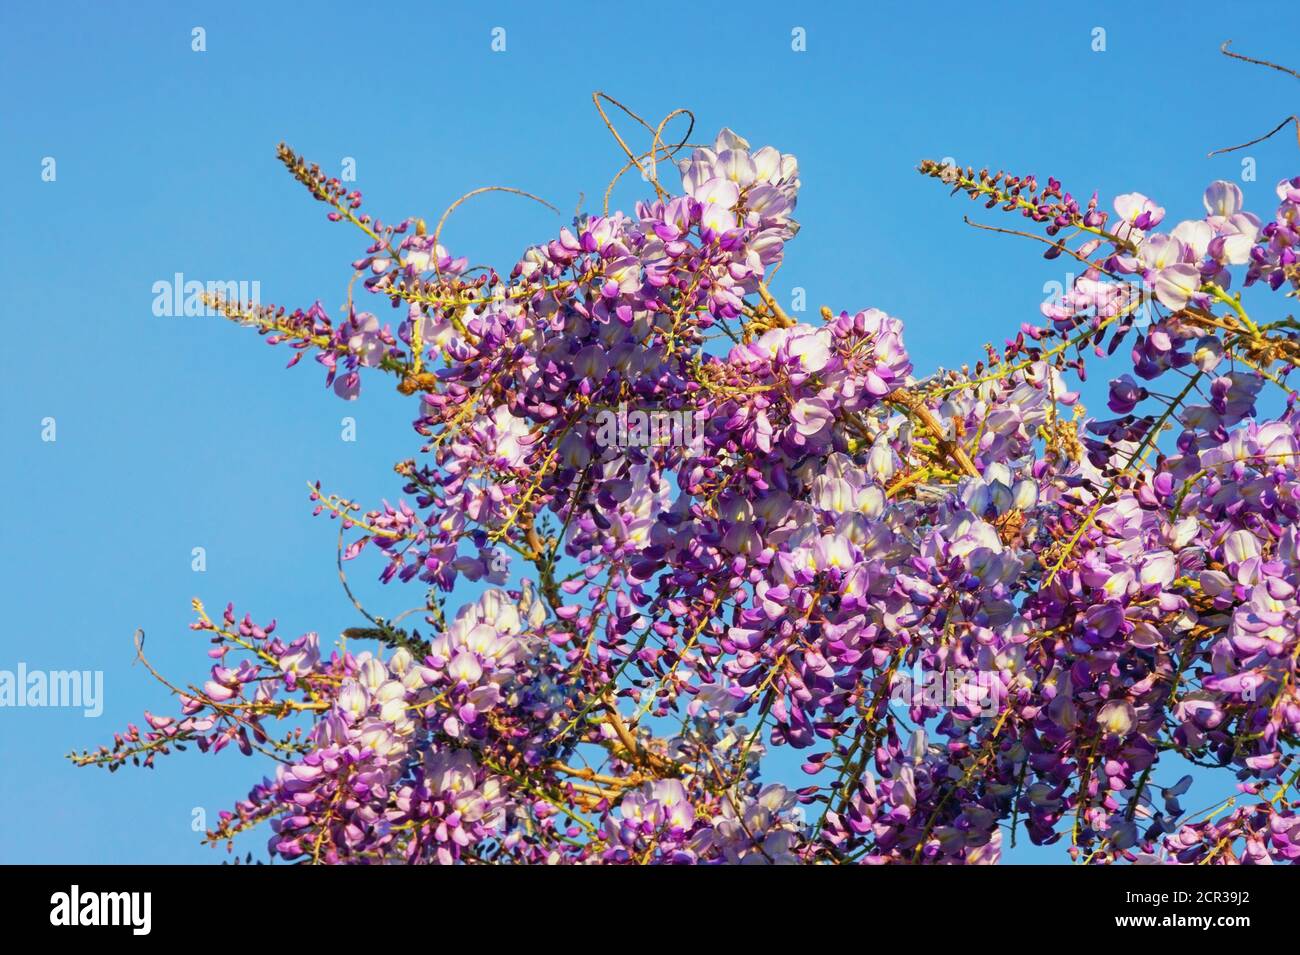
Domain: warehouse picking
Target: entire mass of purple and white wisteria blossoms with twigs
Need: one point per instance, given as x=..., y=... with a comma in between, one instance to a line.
x=1124, y=587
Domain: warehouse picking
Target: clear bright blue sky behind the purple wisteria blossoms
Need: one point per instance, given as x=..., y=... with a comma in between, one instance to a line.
x=181, y=433
